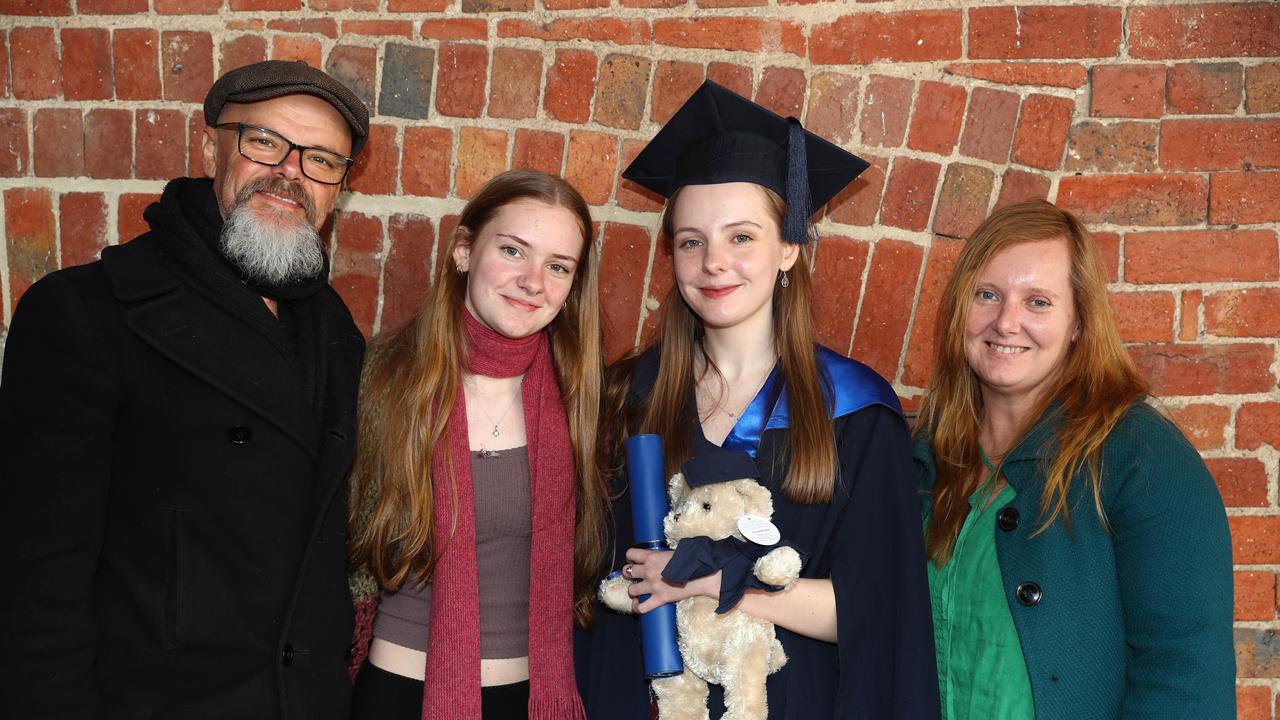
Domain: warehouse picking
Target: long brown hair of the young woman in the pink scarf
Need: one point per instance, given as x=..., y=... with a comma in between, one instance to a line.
x=410, y=385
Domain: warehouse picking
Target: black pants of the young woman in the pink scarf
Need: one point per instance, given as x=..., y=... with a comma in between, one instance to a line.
x=386, y=696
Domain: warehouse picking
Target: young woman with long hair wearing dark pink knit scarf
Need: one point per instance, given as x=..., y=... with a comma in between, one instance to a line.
x=477, y=450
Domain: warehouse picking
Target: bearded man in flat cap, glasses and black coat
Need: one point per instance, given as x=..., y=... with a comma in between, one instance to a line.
x=176, y=425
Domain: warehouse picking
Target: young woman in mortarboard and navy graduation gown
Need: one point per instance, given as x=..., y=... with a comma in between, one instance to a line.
x=738, y=367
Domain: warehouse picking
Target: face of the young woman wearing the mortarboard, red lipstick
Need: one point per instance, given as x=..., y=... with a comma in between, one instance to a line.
x=729, y=252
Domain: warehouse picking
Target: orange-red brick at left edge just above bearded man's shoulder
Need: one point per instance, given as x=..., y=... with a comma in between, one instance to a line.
x=30, y=238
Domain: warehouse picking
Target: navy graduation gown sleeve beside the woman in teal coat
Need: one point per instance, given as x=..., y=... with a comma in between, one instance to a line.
x=885, y=630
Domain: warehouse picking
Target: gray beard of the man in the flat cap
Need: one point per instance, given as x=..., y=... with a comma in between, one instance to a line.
x=271, y=256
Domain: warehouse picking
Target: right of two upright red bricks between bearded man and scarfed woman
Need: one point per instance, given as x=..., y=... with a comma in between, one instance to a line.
x=408, y=275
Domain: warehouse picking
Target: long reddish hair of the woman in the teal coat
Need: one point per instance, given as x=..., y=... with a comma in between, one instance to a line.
x=1095, y=386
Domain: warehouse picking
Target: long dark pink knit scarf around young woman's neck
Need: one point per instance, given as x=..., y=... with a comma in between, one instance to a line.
x=452, y=687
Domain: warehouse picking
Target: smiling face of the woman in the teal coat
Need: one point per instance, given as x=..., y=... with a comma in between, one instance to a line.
x=1022, y=321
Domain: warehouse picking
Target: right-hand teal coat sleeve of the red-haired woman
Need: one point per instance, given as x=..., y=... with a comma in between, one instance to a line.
x=1174, y=567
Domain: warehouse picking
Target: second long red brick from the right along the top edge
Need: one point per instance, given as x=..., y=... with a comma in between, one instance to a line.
x=1022, y=33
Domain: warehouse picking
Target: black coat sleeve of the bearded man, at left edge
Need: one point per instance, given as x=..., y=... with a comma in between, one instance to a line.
x=57, y=414
